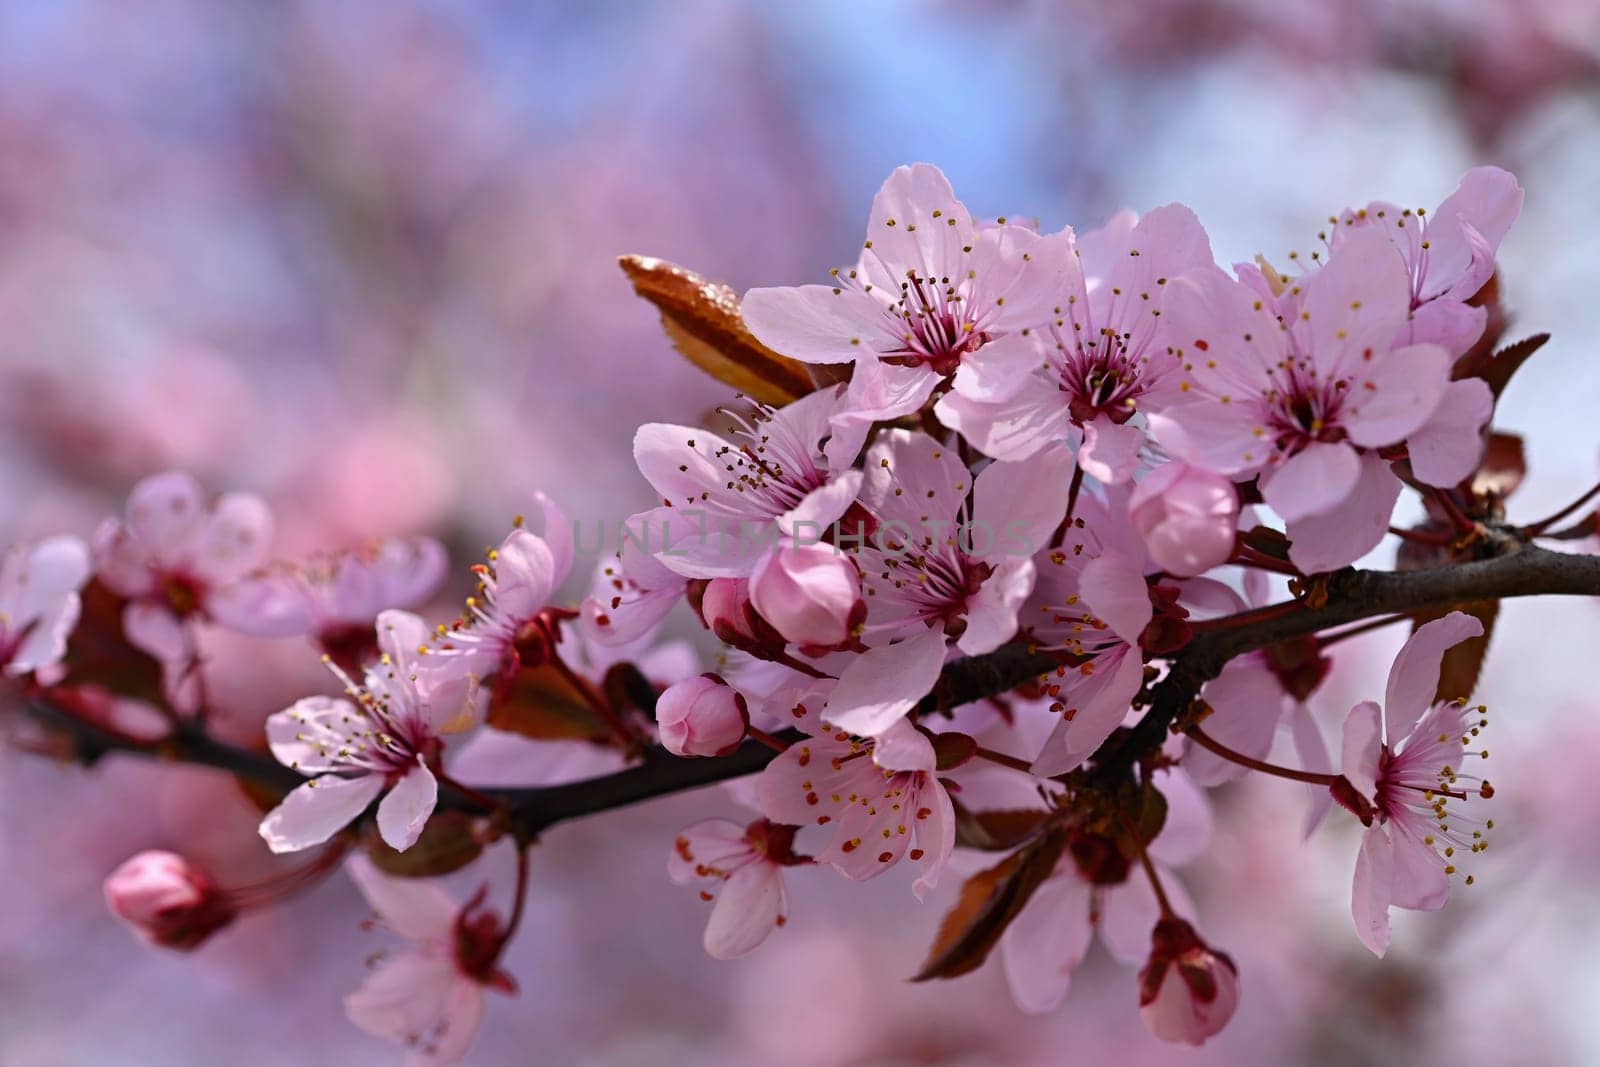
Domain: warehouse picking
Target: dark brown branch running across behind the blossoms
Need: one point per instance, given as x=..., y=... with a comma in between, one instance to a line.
x=1353, y=597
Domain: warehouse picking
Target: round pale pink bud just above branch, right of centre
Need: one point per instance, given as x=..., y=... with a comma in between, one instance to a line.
x=1188, y=518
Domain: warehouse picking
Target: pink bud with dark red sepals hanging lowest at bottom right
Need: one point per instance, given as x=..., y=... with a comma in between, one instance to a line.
x=1188, y=993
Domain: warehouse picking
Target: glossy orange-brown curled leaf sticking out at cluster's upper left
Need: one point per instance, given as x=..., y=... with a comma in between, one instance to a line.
x=703, y=322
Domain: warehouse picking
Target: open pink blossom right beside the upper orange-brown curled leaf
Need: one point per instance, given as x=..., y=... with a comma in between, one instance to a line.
x=932, y=287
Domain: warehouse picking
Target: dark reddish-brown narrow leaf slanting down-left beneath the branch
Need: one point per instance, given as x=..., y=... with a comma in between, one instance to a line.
x=988, y=905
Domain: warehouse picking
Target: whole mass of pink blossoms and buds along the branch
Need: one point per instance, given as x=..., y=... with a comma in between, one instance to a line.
x=1076, y=452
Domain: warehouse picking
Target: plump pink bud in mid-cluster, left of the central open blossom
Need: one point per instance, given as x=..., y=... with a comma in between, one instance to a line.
x=810, y=594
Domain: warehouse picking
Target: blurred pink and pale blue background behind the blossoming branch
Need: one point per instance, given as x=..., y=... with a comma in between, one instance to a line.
x=362, y=258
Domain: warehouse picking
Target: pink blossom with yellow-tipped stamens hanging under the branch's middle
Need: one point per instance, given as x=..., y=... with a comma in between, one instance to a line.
x=882, y=797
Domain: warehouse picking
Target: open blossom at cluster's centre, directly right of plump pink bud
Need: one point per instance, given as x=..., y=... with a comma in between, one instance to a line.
x=938, y=567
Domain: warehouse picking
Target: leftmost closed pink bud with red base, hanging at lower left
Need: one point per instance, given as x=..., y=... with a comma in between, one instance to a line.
x=167, y=900
